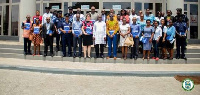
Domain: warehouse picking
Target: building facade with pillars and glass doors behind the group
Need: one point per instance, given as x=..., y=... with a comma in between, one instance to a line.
x=13, y=12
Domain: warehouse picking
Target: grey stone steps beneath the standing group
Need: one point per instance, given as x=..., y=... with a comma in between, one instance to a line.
x=15, y=50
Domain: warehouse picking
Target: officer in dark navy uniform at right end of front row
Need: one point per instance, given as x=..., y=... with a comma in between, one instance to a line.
x=181, y=28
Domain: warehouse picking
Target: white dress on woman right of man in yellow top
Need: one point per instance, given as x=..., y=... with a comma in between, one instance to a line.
x=124, y=30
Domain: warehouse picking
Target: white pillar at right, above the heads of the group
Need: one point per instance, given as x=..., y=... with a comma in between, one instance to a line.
x=174, y=4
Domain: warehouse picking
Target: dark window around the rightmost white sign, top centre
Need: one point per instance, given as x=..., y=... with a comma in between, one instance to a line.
x=124, y=5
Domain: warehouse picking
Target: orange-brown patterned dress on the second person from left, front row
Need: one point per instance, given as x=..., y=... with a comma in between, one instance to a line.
x=37, y=39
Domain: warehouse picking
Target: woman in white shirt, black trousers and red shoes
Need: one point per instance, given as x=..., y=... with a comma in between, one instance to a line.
x=156, y=39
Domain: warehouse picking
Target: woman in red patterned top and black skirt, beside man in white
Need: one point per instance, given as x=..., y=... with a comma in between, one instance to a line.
x=87, y=29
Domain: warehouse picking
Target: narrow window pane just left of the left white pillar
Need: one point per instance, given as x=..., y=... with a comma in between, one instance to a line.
x=14, y=20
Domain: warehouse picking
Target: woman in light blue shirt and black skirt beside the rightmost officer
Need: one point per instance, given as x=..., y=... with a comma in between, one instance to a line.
x=171, y=30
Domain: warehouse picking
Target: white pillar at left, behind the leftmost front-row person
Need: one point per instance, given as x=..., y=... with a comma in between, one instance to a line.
x=27, y=7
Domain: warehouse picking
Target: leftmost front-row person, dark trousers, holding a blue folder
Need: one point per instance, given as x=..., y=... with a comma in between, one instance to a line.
x=26, y=26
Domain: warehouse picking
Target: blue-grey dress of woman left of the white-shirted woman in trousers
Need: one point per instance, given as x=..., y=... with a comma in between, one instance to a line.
x=147, y=34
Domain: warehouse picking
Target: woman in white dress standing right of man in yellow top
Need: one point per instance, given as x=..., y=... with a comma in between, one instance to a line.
x=124, y=31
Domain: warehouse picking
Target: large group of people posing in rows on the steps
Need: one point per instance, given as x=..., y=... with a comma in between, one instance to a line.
x=146, y=30
